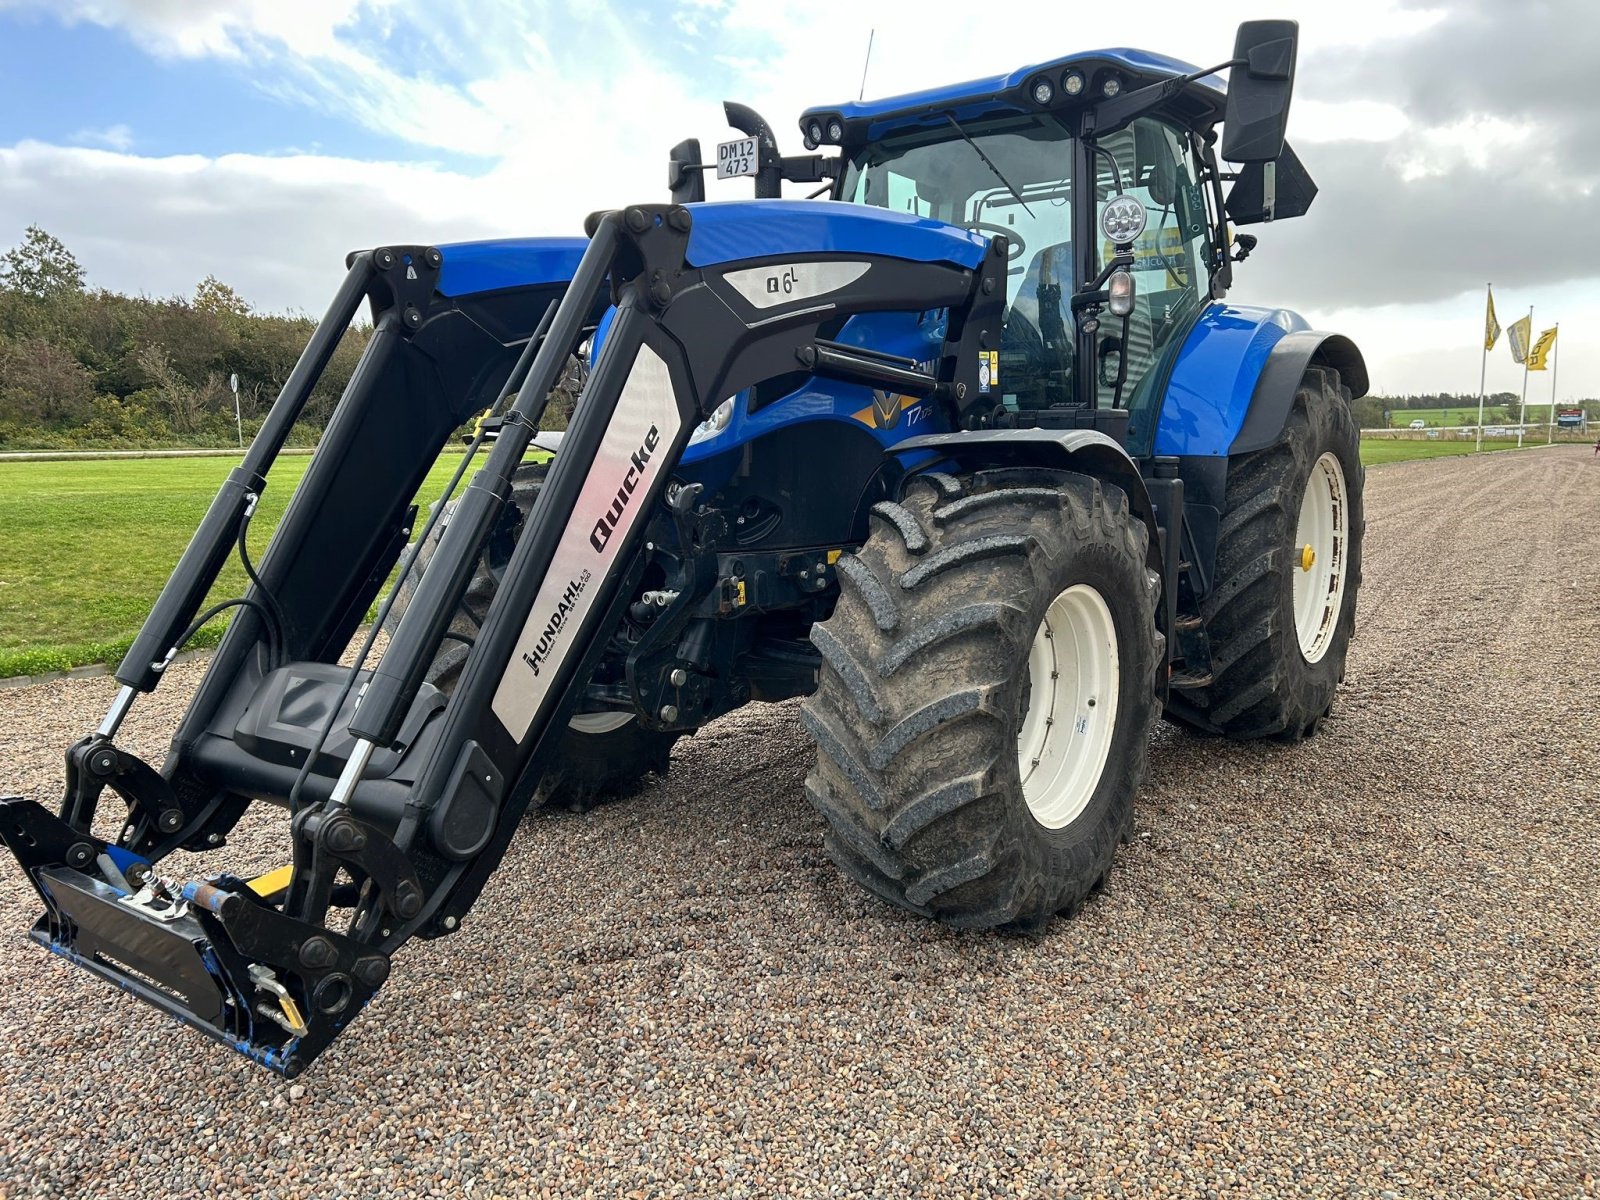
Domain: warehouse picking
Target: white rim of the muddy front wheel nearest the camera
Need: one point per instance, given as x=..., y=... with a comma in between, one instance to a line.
x=1071, y=706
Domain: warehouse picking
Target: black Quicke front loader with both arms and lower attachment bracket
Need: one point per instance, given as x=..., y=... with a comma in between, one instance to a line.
x=402, y=801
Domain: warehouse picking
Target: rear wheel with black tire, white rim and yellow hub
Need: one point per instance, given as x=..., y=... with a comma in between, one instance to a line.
x=1281, y=620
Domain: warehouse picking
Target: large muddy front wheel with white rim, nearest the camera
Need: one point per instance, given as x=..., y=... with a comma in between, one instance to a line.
x=964, y=598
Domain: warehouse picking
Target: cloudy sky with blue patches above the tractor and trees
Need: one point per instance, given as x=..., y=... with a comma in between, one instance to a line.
x=262, y=140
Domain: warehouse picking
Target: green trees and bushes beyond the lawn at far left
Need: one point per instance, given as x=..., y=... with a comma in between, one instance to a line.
x=97, y=369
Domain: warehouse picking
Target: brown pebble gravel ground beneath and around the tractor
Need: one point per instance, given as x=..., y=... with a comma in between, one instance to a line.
x=1361, y=967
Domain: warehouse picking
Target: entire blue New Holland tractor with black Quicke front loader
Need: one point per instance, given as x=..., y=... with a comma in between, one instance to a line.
x=972, y=454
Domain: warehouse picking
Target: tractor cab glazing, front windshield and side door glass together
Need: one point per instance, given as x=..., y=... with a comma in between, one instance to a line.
x=1014, y=177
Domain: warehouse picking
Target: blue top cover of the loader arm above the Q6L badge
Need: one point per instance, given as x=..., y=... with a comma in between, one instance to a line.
x=738, y=230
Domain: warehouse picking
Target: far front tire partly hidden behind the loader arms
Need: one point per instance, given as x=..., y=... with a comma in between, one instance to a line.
x=602, y=754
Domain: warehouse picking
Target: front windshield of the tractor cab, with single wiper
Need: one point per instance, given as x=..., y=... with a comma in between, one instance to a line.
x=1014, y=180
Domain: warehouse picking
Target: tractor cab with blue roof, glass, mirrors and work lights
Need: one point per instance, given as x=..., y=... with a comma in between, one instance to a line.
x=1102, y=174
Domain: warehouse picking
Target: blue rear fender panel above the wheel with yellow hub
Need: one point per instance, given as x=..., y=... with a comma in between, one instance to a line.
x=1215, y=377
